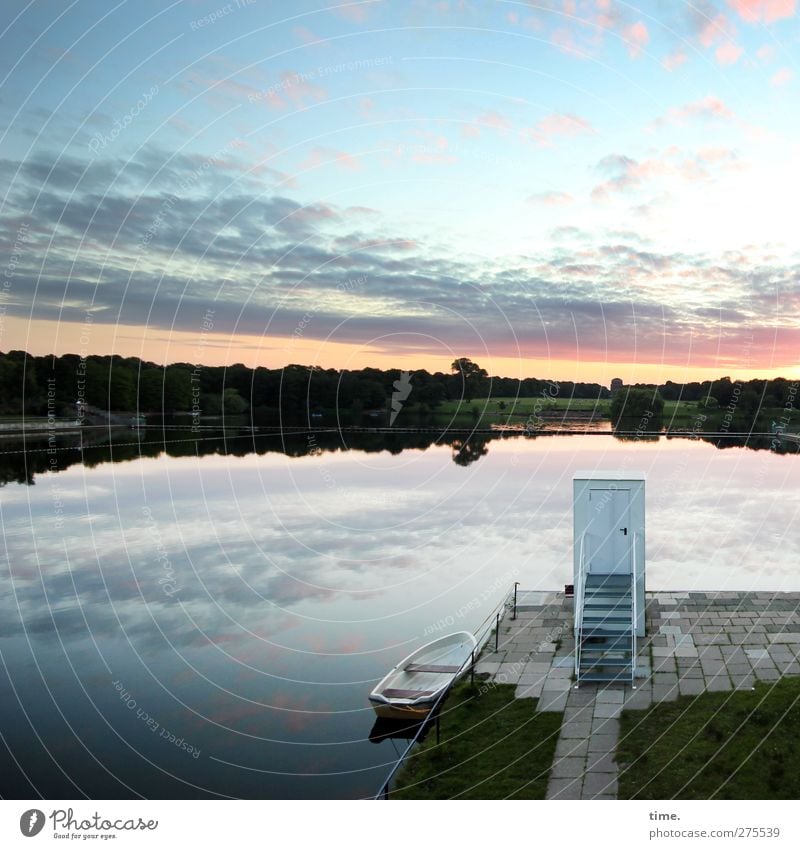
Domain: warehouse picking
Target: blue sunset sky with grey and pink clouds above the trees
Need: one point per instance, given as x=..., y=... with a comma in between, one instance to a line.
x=567, y=189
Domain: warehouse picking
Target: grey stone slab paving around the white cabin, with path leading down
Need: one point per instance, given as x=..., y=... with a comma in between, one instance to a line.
x=696, y=642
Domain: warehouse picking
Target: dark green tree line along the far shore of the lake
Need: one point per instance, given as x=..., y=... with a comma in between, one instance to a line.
x=52, y=385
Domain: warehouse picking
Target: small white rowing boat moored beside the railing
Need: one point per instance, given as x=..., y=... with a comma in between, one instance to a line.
x=412, y=687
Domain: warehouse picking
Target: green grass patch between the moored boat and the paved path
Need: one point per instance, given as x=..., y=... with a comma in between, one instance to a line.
x=492, y=746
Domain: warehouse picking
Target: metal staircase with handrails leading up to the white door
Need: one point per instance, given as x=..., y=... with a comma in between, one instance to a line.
x=605, y=626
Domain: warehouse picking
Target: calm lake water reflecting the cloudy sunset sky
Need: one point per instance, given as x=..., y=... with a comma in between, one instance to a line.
x=210, y=625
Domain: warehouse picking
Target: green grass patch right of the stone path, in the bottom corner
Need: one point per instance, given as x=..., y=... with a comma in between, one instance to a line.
x=741, y=745
